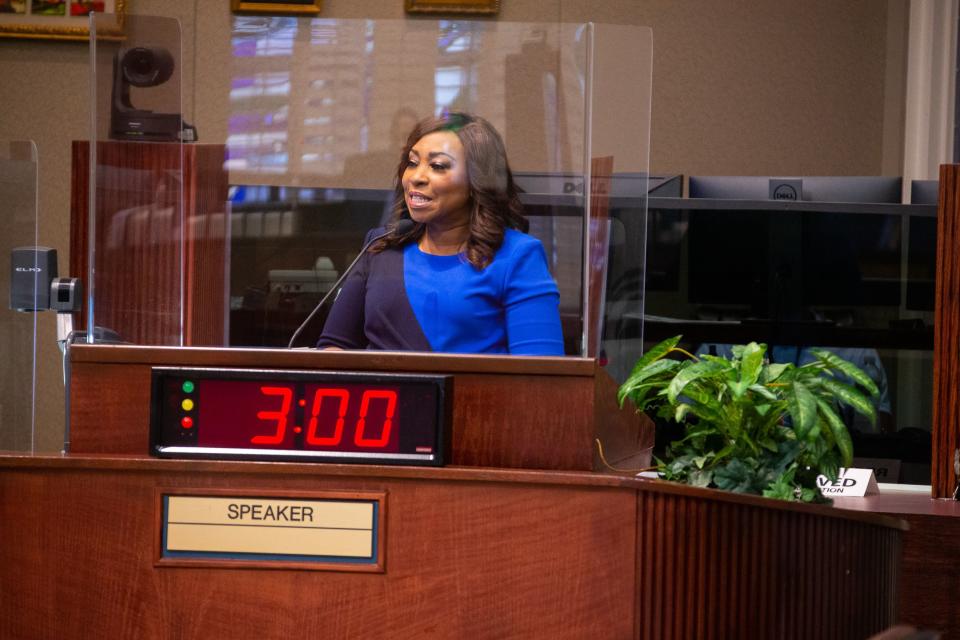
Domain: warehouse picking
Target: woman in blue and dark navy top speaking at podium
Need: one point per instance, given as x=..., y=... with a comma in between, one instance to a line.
x=455, y=271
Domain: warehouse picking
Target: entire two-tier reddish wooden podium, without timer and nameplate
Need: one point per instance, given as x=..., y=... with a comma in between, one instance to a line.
x=538, y=547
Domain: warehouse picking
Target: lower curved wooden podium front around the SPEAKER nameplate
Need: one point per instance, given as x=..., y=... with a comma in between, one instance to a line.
x=469, y=553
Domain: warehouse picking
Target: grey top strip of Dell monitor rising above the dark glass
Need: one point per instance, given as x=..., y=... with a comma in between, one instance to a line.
x=872, y=189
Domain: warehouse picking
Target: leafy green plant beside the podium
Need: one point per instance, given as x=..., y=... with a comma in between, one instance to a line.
x=751, y=426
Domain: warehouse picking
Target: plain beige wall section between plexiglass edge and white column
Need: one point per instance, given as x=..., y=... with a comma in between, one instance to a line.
x=764, y=88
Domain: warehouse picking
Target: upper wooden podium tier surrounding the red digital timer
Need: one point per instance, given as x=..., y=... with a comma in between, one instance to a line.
x=530, y=413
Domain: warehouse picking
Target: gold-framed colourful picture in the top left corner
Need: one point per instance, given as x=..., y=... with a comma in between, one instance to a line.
x=57, y=19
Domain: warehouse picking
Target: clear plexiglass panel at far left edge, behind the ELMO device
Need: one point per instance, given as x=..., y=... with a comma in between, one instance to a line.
x=23, y=287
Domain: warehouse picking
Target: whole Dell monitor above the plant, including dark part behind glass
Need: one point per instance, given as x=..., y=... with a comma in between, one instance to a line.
x=780, y=264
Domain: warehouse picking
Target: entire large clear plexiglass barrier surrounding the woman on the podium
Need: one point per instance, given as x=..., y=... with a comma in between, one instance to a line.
x=280, y=191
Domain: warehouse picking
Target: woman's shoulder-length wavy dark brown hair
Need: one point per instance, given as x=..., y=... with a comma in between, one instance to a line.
x=494, y=197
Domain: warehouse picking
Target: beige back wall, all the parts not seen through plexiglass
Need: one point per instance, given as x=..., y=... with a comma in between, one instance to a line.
x=739, y=87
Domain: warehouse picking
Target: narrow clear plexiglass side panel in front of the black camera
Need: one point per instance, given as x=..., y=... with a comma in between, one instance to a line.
x=134, y=276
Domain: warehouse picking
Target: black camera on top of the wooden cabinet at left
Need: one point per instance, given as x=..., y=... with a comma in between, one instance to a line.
x=143, y=67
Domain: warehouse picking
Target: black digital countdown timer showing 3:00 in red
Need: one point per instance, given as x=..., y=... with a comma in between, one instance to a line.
x=300, y=415
